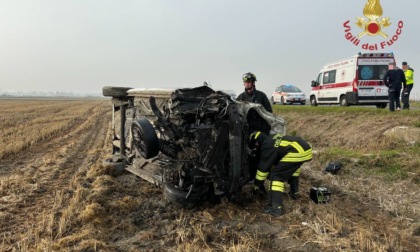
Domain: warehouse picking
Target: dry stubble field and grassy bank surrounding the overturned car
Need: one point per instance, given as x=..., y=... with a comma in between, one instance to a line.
x=55, y=194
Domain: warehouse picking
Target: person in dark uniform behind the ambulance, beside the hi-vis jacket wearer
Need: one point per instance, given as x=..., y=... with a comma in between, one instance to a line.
x=393, y=79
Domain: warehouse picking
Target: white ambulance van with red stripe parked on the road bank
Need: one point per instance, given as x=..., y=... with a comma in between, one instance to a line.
x=357, y=80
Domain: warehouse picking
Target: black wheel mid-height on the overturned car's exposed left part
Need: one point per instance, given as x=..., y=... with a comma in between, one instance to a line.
x=145, y=138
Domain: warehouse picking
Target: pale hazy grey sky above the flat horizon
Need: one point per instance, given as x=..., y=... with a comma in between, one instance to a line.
x=82, y=45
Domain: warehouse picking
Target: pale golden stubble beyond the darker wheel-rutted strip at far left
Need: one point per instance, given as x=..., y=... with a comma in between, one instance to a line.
x=26, y=122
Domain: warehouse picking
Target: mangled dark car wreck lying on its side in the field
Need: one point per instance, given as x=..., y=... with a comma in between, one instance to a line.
x=191, y=141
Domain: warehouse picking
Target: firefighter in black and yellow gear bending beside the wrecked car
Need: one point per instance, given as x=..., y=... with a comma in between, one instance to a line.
x=280, y=160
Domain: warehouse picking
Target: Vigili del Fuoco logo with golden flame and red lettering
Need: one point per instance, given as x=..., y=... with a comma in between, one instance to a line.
x=374, y=25
